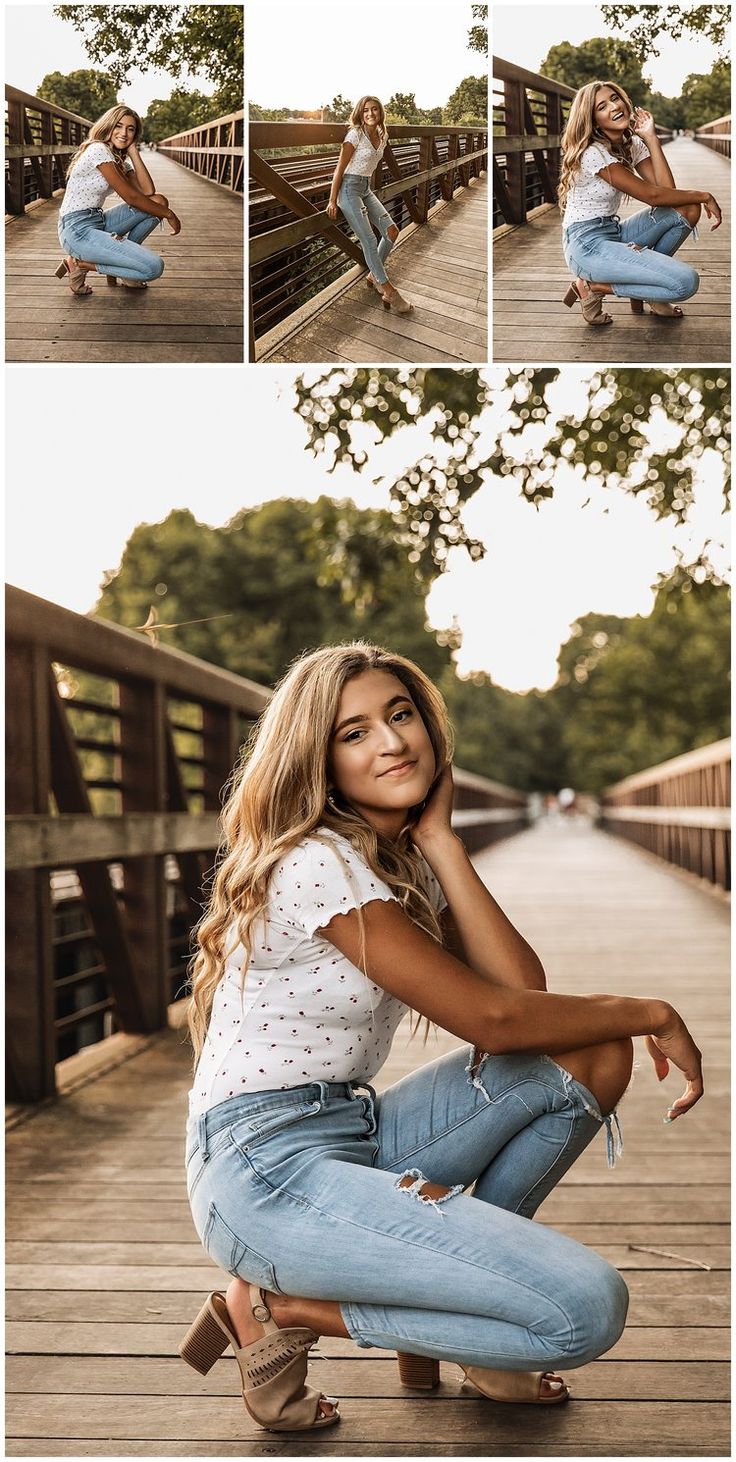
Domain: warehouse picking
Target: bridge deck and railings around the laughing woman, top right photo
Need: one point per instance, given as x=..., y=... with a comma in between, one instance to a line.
x=530, y=274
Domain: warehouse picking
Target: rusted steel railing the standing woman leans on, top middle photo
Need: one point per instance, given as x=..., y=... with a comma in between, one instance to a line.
x=296, y=251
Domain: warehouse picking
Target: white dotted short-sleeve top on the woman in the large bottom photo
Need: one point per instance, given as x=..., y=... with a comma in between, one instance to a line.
x=305, y=1012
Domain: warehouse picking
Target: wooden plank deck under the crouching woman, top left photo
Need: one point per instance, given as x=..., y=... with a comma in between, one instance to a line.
x=192, y=314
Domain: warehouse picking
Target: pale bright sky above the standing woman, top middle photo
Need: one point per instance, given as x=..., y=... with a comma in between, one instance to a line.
x=304, y=55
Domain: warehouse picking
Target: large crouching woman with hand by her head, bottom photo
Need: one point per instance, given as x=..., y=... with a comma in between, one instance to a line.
x=343, y=898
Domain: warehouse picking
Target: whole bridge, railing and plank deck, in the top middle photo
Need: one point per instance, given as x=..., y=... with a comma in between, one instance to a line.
x=308, y=277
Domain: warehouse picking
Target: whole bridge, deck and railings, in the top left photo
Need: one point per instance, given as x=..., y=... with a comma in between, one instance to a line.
x=192, y=314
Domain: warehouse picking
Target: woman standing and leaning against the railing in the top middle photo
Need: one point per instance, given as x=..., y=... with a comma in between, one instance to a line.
x=359, y=157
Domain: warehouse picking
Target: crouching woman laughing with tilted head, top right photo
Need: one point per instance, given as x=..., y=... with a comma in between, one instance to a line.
x=611, y=148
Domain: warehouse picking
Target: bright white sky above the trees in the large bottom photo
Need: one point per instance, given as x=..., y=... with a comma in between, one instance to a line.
x=542, y=571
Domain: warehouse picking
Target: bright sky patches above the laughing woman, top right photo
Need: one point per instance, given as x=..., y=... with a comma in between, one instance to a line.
x=525, y=34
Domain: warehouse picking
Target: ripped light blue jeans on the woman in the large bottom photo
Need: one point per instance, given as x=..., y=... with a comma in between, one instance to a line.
x=299, y=1192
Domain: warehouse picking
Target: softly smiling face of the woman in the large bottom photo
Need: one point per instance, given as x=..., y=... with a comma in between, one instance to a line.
x=381, y=755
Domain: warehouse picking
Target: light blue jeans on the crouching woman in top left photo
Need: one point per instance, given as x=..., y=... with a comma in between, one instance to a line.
x=89, y=235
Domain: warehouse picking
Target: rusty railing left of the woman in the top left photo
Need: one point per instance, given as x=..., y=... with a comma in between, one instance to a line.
x=40, y=141
